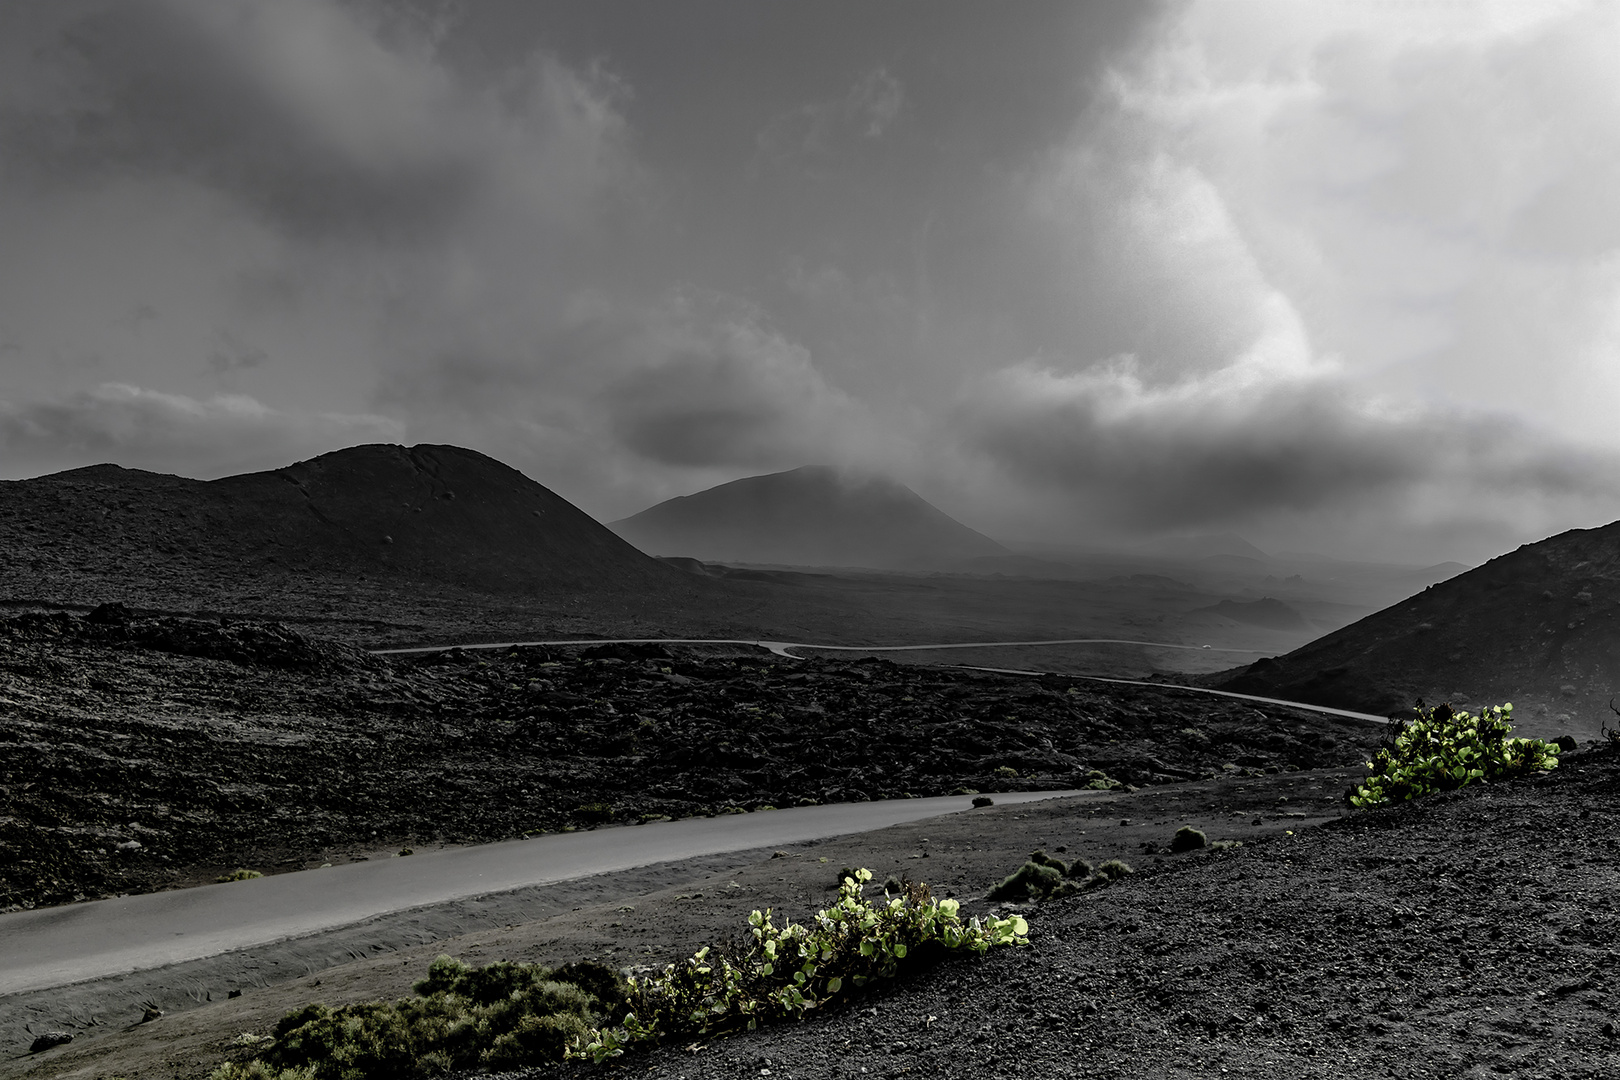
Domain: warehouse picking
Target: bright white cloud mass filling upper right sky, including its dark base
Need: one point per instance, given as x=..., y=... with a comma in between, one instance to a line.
x=1363, y=266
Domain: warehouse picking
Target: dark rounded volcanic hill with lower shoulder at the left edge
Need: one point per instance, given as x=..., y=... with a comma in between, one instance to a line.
x=373, y=514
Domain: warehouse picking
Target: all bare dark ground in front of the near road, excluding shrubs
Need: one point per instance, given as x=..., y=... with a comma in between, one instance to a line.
x=1472, y=935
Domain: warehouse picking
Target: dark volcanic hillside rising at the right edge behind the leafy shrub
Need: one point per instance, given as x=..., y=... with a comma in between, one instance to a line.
x=1535, y=627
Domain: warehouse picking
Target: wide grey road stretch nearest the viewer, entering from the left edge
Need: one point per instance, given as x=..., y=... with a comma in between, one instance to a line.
x=87, y=942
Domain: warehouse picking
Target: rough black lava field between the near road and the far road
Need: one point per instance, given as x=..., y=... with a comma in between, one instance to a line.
x=150, y=754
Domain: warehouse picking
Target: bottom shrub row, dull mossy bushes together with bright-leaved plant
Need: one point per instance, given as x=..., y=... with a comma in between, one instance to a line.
x=509, y=1016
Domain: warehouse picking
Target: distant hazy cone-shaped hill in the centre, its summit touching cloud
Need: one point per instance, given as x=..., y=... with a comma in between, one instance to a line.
x=809, y=517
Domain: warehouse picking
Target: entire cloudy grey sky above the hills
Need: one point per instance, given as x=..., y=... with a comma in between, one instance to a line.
x=1339, y=278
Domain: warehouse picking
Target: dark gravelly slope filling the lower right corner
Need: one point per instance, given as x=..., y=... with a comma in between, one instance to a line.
x=1469, y=935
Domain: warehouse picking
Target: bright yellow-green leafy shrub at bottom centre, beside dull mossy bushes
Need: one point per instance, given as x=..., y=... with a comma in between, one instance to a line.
x=787, y=972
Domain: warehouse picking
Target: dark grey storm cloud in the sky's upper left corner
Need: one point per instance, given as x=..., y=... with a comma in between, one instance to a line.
x=151, y=88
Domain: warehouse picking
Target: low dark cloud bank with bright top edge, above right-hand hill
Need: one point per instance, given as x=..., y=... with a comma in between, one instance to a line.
x=1230, y=448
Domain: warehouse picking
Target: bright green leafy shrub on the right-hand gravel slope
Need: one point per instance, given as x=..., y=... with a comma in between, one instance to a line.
x=1443, y=750
